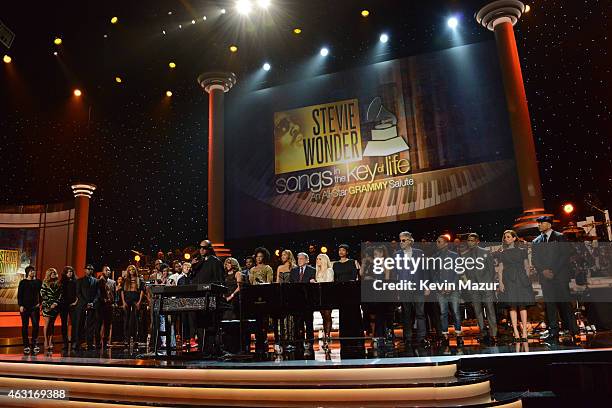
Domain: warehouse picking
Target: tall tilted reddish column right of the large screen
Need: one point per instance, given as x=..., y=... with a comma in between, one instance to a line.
x=500, y=17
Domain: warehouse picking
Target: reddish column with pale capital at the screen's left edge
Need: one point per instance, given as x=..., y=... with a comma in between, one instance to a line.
x=216, y=84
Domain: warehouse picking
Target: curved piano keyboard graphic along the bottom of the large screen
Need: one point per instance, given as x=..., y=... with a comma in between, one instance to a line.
x=429, y=189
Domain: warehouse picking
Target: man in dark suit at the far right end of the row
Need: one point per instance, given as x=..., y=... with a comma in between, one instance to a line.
x=550, y=259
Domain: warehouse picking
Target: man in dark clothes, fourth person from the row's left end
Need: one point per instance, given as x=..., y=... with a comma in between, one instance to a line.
x=88, y=295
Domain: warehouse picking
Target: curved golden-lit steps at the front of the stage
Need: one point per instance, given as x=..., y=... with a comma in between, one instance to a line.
x=424, y=385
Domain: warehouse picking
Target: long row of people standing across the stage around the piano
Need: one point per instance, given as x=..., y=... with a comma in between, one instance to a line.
x=99, y=308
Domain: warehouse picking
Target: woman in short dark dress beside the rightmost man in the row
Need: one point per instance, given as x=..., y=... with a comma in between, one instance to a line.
x=514, y=282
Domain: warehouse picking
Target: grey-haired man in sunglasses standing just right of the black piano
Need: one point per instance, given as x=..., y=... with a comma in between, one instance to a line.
x=413, y=306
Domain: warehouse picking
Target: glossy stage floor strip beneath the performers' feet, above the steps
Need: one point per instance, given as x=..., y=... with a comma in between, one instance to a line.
x=398, y=353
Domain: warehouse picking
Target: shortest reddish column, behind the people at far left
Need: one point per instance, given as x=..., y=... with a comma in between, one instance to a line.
x=82, y=194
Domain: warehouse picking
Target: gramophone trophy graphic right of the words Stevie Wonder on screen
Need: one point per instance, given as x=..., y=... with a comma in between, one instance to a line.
x=385, y=140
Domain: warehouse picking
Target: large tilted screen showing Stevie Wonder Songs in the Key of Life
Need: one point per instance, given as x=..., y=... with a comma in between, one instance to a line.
x=424, y=136
